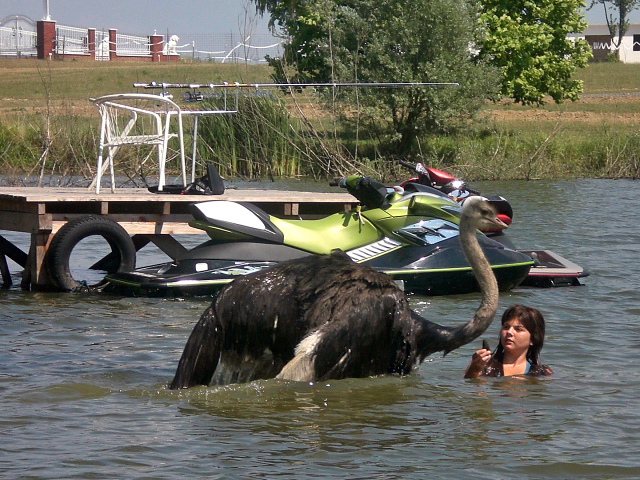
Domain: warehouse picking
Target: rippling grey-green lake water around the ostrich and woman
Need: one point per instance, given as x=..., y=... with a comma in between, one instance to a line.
x=82, y=380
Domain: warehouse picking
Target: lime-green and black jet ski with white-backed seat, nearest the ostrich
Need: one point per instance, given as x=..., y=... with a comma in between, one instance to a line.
x=410, y=233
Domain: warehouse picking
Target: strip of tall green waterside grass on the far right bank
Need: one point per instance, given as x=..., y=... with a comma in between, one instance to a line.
x=515, y=154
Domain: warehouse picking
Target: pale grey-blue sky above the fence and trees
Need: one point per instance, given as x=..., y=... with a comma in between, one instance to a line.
x=180, y=16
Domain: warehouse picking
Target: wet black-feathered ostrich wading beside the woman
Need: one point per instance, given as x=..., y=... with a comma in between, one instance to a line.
x=325, y=317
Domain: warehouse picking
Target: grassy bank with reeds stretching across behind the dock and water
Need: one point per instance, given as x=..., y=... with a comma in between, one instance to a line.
x=48, y=126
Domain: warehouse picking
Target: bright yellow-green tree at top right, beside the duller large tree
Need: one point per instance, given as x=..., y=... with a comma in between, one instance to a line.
x=528, y=40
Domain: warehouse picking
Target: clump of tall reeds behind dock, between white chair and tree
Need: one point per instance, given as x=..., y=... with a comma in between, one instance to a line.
x=263, y=139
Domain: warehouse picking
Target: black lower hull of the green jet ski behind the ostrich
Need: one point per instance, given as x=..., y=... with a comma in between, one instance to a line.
x=440, y=270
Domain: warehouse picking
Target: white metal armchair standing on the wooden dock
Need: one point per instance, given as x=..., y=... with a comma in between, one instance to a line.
x=129, y=119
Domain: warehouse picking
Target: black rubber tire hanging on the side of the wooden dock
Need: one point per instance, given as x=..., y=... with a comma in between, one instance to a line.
x=74, y=231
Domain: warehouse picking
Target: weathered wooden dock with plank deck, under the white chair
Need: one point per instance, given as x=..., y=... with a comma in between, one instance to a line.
x=147, y=216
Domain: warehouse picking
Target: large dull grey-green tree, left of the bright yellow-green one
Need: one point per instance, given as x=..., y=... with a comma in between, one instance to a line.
x=389, y=41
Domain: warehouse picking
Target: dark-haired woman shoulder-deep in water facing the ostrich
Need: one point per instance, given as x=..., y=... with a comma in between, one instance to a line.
x=518, y=353
